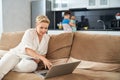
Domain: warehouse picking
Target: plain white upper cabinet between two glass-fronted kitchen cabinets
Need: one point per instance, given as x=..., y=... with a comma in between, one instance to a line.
x=78, y=4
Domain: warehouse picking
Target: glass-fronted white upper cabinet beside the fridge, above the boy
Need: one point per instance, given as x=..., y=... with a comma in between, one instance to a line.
x=58, y=5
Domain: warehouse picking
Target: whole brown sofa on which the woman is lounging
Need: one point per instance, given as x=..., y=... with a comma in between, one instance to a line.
x=99, y=55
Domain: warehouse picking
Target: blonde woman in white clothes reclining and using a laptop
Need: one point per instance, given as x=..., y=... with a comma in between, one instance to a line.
x=31, y=50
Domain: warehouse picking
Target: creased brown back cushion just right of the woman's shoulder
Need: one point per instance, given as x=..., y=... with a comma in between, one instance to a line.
x=60, y=46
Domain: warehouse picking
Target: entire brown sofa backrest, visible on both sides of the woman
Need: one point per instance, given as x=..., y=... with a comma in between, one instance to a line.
x=83, y=46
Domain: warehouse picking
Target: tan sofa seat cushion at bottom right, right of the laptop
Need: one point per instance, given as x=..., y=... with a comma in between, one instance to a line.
x=98, y=75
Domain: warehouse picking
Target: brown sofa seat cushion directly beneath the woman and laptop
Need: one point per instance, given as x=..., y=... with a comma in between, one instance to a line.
x=33, y=76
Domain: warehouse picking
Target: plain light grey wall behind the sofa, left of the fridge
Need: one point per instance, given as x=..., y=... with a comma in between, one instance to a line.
x=16, y=15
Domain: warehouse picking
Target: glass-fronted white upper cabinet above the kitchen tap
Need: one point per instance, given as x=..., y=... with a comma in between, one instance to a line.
x=96, y=4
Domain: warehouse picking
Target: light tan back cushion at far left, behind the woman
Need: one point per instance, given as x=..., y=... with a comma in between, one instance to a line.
x=10, y=39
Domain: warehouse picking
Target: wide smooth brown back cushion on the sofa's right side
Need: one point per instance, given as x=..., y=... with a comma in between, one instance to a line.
x=96, y=47
